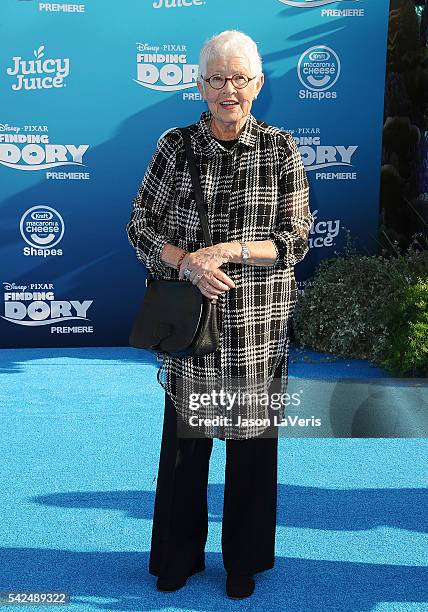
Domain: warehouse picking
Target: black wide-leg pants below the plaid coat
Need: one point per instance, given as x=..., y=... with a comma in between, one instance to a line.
x=180, y=519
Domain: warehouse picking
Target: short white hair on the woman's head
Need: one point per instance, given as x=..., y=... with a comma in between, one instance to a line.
x=229, y=43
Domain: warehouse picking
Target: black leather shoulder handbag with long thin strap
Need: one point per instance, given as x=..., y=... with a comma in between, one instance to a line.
x=175, y=318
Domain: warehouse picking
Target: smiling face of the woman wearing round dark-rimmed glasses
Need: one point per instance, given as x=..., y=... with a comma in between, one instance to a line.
x=230, y=105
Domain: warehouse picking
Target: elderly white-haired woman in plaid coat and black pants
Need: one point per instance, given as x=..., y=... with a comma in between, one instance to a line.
x=256, y=193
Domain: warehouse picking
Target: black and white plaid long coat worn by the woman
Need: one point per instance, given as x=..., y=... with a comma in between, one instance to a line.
x=258, y=190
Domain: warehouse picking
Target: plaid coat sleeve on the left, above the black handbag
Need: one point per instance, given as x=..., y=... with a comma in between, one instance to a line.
x=151, y=217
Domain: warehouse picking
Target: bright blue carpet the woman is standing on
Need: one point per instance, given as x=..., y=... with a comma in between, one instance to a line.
x=80, y=440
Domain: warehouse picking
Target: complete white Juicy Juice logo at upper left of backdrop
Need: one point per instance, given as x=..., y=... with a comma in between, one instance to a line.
x=29, y=73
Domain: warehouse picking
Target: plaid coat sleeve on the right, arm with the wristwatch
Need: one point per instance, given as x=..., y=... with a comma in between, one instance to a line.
x=290, y=237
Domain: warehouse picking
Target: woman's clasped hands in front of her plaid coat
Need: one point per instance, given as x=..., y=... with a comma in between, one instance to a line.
x=206, y=275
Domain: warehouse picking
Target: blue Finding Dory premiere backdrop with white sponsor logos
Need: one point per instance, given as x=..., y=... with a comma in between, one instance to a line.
x=86, y=90
